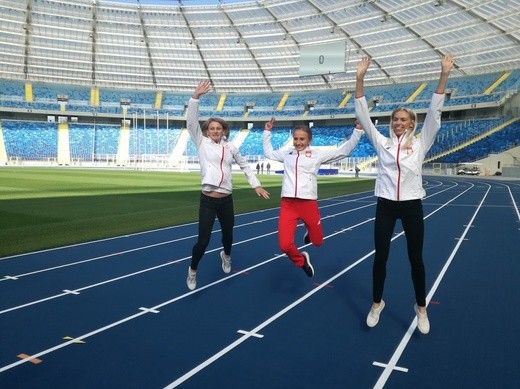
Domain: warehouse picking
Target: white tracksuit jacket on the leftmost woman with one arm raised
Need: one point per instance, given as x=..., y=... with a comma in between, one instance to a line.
x=216, y=159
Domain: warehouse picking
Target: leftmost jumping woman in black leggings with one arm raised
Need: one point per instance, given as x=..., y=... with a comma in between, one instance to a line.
x=216, y=156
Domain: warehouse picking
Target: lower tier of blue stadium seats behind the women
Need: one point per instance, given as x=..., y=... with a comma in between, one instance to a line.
x=37, y=141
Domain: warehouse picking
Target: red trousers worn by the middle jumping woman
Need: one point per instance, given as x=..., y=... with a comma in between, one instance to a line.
x=292, y=210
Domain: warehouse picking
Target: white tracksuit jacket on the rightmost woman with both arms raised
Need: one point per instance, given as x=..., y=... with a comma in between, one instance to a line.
x=399, y=176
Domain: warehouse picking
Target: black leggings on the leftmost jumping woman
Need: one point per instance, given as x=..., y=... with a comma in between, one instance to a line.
x=210, y=207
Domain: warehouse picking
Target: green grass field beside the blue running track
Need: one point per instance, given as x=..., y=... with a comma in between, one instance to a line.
x=48, y=207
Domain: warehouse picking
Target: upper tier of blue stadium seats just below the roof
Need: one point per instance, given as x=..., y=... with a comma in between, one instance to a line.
x=466, y=90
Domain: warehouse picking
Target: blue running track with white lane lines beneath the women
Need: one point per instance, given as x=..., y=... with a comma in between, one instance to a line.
x=116, y=313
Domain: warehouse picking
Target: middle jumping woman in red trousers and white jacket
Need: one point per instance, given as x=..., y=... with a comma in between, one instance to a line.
x=300, y=188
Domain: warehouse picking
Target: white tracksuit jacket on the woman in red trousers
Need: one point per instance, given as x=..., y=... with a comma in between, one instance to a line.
x=301, y=168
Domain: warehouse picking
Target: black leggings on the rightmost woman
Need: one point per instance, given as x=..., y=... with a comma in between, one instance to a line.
x=411, y=214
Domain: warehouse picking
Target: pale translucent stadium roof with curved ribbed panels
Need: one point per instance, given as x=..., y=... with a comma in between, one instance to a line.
x=253, y=46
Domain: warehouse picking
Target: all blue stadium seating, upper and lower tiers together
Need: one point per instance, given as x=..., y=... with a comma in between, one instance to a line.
x=38, y=140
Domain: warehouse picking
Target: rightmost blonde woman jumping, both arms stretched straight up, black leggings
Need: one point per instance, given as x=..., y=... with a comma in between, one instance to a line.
x=399, y=187
